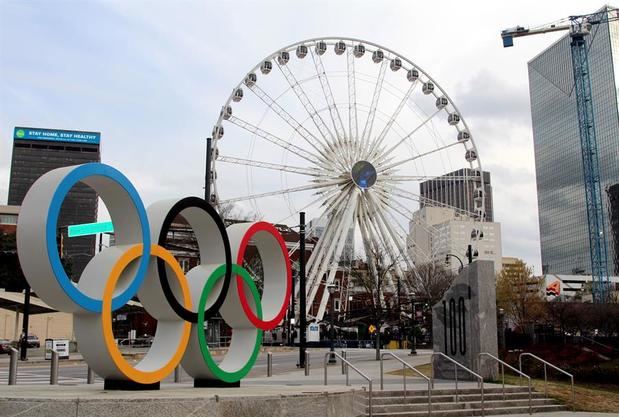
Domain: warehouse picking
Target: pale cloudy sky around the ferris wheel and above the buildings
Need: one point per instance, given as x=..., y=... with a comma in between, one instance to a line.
x=151, y=76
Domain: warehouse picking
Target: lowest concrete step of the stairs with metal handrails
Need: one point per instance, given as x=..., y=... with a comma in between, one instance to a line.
x=448, y=406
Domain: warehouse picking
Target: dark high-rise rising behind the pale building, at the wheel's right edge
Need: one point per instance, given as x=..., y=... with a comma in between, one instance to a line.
x=457, y=189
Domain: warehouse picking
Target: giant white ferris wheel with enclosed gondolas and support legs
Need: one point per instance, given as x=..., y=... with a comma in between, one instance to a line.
x=345, y=130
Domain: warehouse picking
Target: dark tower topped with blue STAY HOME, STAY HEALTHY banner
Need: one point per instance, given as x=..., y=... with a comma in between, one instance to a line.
x=37, y=151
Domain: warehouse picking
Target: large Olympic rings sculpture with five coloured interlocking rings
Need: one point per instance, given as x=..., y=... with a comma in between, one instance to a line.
x=140, y=265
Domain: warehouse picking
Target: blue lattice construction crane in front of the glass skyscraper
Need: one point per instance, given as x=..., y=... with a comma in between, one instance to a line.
x=579, y=28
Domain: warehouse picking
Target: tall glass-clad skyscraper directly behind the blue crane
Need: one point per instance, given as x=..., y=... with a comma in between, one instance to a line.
x=558, y=159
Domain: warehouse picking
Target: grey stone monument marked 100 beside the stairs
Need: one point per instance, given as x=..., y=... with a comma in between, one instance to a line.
x=464, y=323
